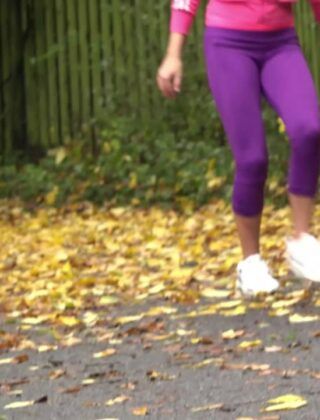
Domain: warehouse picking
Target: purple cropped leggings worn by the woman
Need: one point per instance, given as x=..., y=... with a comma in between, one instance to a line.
x=242, y=65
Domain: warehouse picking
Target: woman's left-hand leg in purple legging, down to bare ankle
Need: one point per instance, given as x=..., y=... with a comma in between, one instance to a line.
x=235, y=85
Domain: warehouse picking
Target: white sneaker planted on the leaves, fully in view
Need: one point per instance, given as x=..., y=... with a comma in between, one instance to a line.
x=254, y=276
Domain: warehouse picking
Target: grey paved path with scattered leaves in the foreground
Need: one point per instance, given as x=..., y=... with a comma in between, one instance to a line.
x=169, y=366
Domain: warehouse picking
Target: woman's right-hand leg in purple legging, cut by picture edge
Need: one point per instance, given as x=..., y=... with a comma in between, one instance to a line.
x=289, y=88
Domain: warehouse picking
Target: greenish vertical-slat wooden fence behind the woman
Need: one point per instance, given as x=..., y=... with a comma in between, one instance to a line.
x=67, y=66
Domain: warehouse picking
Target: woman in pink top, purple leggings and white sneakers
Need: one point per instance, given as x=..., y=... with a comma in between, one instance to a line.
x=252, y=49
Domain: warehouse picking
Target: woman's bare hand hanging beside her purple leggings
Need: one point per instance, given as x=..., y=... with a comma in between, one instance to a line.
x=169, y=76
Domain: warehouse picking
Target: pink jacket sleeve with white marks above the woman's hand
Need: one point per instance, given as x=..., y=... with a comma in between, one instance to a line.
x=182, y=15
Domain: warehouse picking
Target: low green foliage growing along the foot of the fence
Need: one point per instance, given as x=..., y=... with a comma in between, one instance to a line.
x=172, y=163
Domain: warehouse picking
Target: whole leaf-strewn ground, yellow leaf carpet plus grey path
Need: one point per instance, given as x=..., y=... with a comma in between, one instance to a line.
x=125, y=312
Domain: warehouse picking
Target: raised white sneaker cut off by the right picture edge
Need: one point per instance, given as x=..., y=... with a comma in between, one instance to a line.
x=303, y=256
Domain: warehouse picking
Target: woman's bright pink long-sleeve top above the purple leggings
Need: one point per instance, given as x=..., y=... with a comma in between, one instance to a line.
x=237, y=14
